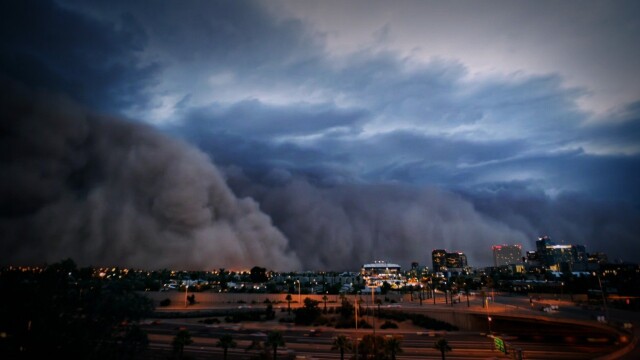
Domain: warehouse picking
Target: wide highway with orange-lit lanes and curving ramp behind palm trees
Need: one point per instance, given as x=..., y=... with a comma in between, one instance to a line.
x=523, y=326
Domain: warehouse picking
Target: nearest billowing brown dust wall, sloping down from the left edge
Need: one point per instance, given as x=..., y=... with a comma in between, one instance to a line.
x=107, y=192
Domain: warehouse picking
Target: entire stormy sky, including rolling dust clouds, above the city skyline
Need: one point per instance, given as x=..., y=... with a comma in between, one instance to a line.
x=317, y=135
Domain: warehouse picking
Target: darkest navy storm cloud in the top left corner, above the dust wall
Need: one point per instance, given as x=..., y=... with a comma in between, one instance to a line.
x=48, y=46
